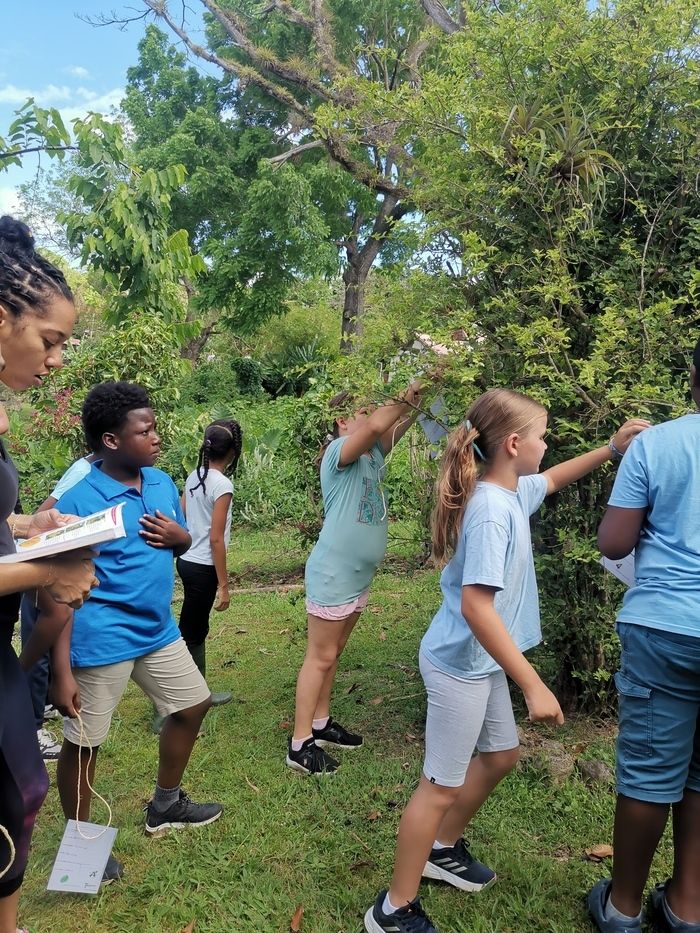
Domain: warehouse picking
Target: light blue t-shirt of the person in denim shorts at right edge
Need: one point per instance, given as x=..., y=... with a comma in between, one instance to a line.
x=661, y=472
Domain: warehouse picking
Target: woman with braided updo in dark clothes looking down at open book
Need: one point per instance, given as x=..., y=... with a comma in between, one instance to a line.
x=36, y=319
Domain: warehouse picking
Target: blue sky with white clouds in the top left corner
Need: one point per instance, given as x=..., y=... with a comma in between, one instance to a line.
x=47, y=53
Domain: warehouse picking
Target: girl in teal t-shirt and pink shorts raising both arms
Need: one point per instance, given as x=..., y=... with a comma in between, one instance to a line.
x=341, y=566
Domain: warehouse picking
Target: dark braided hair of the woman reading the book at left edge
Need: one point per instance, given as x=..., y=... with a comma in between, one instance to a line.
x=28, y=282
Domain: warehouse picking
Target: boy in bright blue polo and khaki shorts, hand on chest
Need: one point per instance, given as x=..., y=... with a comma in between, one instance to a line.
x=127, y=630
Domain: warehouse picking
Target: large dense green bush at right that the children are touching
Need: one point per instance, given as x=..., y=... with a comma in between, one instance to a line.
x=557, y=146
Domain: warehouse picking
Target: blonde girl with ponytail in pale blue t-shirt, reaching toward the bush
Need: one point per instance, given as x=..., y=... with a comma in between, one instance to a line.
x=488, y=488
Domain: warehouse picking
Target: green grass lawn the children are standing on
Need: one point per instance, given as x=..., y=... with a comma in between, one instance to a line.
x=324, y=844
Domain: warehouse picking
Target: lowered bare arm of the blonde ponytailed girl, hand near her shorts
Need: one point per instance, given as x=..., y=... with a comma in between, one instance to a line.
x=488, y=628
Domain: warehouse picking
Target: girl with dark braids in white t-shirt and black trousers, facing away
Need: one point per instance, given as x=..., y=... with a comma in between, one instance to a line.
x=206, y=503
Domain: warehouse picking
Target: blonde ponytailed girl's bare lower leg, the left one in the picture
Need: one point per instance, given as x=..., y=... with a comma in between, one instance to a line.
x=417, y=831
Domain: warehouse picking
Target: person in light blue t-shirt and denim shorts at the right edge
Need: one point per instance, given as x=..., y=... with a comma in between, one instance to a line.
x=654, y=509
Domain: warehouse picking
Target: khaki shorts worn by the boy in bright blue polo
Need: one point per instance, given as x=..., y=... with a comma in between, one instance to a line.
x=169, y=678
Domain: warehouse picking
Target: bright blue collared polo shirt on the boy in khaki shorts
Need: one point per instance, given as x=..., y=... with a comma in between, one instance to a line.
x=129, y=614
